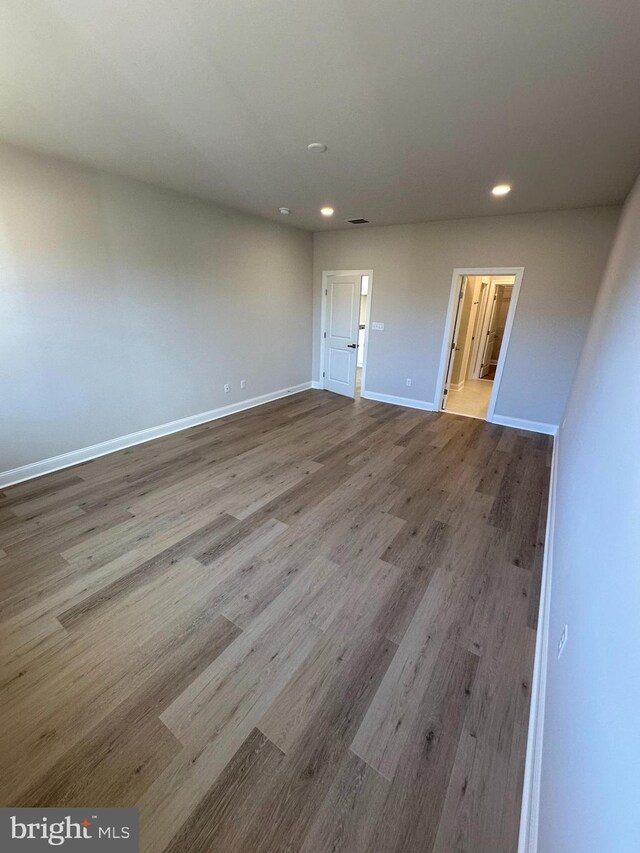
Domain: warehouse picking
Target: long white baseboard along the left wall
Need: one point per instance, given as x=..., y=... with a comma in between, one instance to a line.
x=74, y=457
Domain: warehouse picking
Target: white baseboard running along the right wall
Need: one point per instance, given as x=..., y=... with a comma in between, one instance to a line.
x=528, y=840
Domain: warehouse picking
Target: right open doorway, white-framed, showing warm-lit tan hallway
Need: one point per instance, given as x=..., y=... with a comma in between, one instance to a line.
x=478, y=329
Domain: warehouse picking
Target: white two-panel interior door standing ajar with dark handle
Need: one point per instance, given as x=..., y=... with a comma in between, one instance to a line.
x=342, y=318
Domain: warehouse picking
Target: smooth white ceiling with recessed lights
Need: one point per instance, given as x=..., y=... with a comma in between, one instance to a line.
x=424, y=105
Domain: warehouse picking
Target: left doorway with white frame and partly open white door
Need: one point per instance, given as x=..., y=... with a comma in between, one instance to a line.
x=346, y=307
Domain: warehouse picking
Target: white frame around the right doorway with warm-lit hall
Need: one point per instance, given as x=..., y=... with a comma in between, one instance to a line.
x=518, y=273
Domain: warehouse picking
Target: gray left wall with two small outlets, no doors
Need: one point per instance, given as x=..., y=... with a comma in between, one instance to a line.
x=124, y=306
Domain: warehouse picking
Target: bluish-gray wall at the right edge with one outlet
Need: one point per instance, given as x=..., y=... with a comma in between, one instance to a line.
x=591, y=746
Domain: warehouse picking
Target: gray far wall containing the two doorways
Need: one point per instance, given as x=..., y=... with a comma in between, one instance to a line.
x=564, y=255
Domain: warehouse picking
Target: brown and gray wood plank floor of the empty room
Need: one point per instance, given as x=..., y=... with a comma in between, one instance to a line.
x=306, y=627
